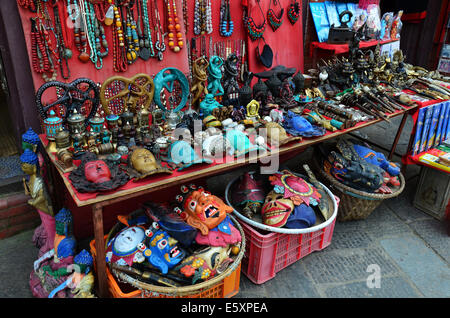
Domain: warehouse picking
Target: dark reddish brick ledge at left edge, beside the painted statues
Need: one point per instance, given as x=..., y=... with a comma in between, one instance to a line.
x=16, y=215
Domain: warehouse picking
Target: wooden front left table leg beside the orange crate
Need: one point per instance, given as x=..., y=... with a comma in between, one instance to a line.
x=97, y=216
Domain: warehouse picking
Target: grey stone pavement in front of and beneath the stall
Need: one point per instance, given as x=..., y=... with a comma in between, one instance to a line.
x=408, y=248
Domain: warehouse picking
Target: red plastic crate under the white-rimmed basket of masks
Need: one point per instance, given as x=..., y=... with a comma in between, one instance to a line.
x=267, y=254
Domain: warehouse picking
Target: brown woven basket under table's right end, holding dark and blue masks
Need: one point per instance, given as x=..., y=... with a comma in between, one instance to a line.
x=355, y=204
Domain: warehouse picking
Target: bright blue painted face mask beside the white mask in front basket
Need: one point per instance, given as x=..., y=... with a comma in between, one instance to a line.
x=160, y=249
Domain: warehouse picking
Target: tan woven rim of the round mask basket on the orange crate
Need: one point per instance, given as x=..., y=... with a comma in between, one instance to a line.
x=184, y=291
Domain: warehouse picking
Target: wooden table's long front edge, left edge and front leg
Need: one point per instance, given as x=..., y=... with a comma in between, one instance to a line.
x=98, y=203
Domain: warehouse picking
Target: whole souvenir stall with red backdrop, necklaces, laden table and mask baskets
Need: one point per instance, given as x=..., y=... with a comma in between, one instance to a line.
x=141, y=100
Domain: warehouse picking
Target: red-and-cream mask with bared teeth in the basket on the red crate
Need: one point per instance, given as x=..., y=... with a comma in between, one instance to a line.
x=276, y=209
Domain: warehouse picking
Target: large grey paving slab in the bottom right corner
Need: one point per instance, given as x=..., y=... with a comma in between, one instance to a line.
x=429, y=272
